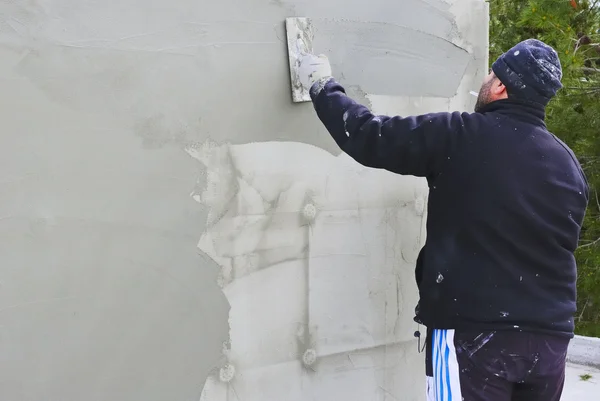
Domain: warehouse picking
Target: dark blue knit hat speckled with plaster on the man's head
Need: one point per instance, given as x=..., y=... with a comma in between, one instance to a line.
x=531, y=70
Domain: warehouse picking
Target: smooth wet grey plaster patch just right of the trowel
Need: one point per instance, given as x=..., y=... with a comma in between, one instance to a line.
x=372, y=53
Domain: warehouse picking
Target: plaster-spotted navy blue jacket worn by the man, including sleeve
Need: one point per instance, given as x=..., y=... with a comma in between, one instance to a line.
x=506, y=204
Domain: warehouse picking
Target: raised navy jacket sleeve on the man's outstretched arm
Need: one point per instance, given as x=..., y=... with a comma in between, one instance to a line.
x=412, y=146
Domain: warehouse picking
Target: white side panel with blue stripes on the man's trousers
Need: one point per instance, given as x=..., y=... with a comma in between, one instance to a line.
x=445, y=383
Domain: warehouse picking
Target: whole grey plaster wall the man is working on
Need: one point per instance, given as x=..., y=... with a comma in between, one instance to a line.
x=173, y=227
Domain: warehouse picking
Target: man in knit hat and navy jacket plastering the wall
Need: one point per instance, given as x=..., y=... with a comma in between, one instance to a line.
x=497, y=274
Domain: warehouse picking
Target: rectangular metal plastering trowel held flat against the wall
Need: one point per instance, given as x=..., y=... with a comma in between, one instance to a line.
x=300, y=35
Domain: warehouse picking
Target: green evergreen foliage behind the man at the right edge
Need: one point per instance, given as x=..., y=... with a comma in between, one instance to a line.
x=572, y=27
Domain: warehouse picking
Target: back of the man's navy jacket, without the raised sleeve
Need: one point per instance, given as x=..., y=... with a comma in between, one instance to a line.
x=504, y=218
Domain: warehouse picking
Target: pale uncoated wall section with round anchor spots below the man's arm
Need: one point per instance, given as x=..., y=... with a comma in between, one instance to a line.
x=317, y=257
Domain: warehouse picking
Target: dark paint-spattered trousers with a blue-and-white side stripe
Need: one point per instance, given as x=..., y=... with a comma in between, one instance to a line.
x=494, y=366
